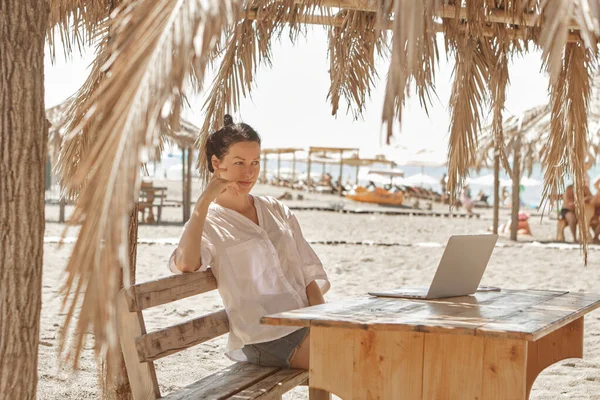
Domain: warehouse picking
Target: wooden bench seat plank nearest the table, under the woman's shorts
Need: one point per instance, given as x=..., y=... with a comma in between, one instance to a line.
x=273, y=386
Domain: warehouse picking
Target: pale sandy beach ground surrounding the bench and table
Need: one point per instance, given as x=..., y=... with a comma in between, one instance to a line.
x=402, y=250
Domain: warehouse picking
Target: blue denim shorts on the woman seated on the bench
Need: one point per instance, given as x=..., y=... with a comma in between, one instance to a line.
x=276, y=353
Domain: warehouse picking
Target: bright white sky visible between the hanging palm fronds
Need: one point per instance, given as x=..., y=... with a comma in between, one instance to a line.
x=289, y=106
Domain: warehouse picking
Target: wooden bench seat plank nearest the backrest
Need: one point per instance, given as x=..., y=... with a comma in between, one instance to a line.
x=223, y=384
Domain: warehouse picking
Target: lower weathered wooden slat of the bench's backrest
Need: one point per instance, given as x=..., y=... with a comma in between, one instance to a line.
x=173, y=339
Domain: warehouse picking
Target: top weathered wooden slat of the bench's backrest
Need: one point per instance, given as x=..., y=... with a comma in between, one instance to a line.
x=165, y=290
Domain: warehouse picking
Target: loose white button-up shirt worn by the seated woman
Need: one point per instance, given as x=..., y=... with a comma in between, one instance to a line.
x=260, y=269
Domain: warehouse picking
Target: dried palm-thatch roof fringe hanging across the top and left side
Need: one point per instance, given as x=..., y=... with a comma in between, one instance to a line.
x=155, y=46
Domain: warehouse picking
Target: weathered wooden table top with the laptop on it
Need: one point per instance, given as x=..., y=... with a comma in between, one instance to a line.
x=518, y=314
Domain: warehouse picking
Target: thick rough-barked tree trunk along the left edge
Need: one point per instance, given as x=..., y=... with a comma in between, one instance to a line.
x=23, y=152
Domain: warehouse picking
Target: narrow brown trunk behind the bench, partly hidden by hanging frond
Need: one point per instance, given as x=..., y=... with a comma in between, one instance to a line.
x=115, y=386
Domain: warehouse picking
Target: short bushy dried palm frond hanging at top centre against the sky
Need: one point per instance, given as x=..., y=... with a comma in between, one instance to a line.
x=352, y=48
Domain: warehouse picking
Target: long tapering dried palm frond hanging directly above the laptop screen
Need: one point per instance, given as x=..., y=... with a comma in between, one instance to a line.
x=471, y=71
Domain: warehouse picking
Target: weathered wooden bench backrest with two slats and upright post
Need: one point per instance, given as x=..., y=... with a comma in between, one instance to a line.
x=140, y=348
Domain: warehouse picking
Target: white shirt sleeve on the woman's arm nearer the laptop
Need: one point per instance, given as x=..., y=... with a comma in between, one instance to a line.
x=312, y=268
